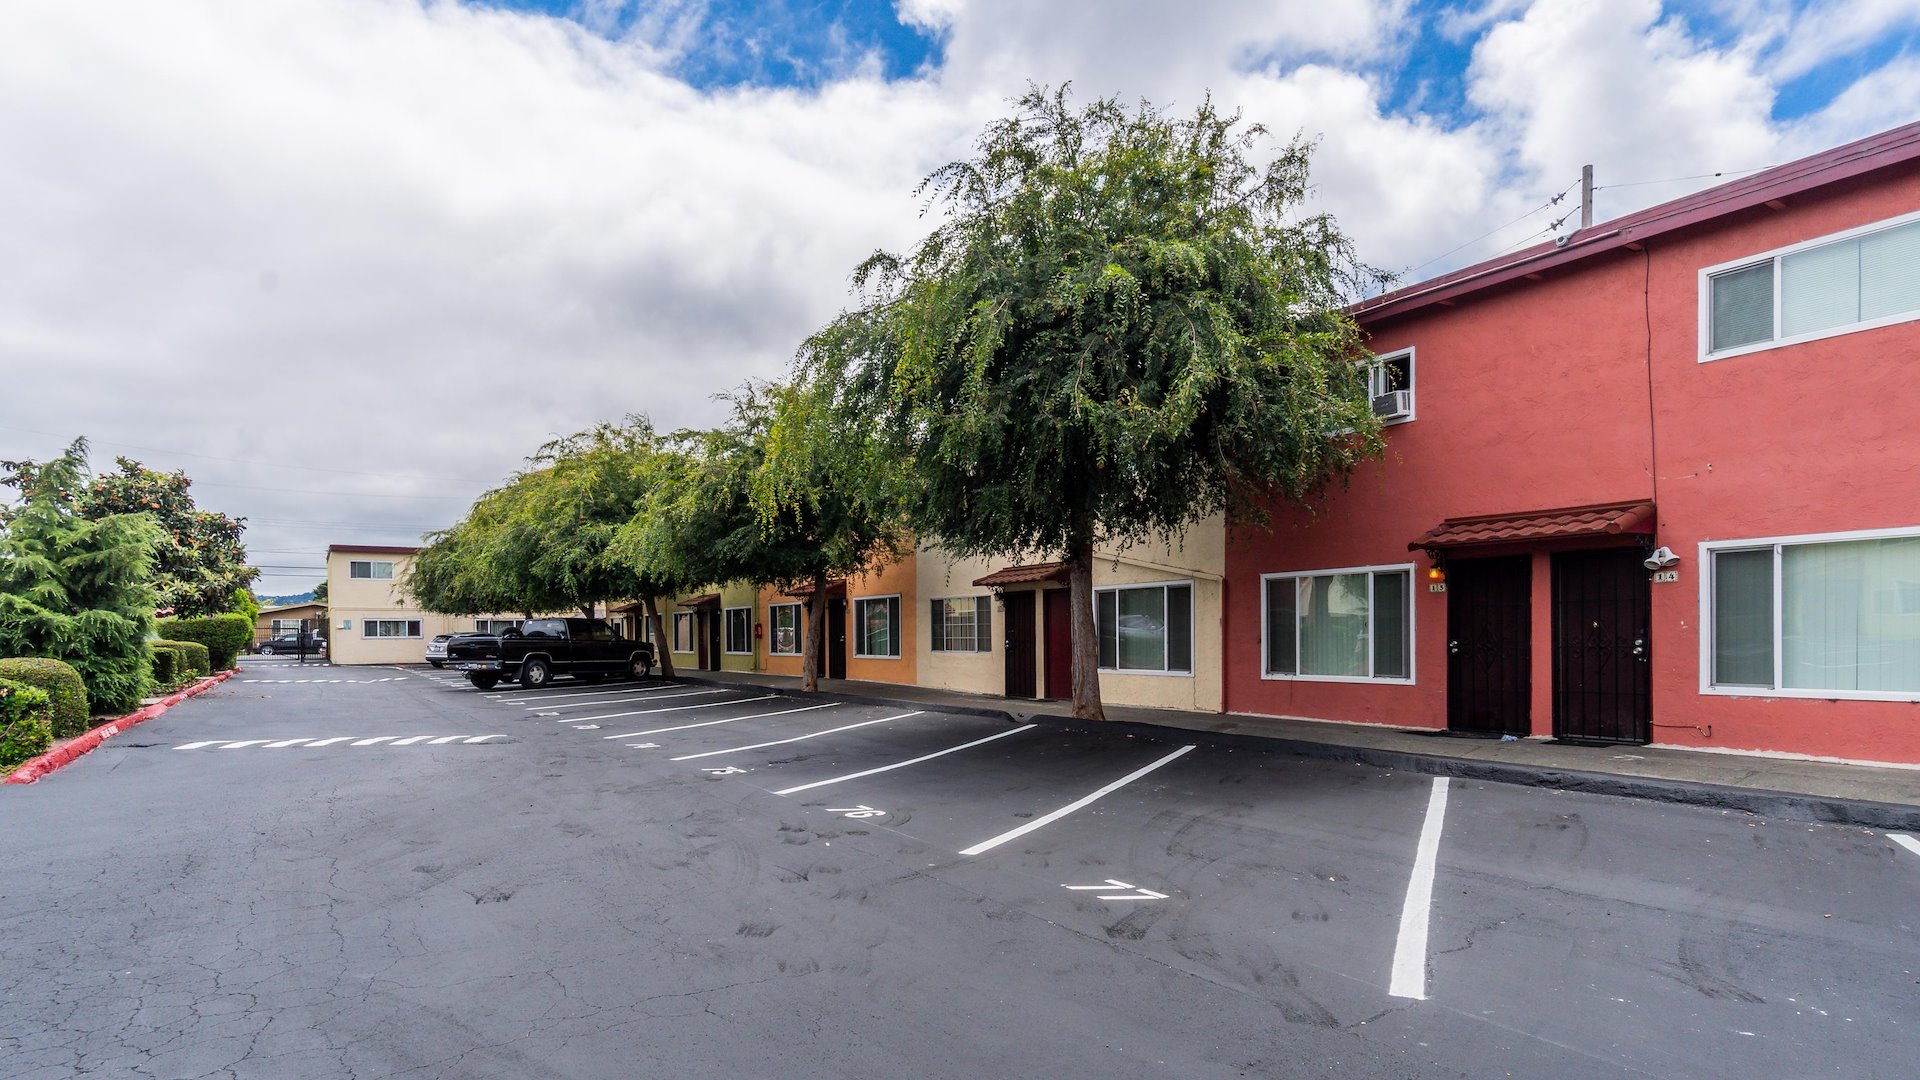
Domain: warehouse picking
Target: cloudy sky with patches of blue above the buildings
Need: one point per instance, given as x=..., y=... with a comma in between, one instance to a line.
x=348, y=262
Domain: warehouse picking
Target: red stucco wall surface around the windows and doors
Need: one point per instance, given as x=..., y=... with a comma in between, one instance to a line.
x=1558, y=393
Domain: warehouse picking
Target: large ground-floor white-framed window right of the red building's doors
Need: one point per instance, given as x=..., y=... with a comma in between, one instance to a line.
x=1821, y=616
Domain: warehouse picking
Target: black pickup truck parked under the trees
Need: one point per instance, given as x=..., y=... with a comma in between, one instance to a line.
x=542, y=649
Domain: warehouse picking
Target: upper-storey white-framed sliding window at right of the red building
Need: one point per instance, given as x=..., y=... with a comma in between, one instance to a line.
x=1835, y=285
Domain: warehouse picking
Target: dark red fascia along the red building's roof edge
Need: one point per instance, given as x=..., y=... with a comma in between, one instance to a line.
x=1884, y=151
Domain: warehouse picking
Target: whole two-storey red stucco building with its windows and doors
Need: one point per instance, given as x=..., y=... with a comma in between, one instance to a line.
x=1733, y=378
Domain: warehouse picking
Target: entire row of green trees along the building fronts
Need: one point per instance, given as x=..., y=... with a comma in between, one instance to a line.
x=1120, y=328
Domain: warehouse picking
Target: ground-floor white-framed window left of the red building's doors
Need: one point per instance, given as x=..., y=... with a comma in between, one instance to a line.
x=1345, y=626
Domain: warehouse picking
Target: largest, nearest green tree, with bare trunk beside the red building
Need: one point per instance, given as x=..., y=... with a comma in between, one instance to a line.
x=1122, y=328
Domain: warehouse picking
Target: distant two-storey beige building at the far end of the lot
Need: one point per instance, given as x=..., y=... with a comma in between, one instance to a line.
x=370, y=616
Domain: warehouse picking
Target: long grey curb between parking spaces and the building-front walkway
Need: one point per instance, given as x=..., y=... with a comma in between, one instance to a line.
x=1894, y=818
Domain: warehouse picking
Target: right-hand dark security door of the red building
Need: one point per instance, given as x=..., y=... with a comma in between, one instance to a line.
x=1602, y=679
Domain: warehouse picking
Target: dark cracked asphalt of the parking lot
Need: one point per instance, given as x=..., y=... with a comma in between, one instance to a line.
x=617, y=889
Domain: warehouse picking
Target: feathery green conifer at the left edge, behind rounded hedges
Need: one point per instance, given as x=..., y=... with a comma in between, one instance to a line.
x=74, y=587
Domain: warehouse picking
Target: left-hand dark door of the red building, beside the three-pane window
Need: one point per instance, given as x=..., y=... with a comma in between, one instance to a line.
x=1489, y=664
